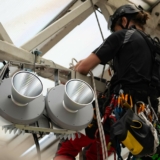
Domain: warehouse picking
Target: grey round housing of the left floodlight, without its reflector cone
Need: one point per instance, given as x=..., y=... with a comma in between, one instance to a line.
x=16, y=114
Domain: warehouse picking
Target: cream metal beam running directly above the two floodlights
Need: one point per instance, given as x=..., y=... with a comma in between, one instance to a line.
x=44, y=67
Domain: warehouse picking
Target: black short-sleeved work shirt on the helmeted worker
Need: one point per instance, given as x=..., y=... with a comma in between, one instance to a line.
x=132, y=59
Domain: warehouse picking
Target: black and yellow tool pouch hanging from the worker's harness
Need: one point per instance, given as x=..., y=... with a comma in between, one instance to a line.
x=133, y=133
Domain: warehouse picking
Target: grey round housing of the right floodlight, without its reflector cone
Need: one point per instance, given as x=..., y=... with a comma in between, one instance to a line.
x=63, y=118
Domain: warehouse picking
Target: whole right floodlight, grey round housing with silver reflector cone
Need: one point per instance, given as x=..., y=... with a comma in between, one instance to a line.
x=70, y=106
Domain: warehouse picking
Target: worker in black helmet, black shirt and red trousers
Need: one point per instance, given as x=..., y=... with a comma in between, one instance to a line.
x=132, y=63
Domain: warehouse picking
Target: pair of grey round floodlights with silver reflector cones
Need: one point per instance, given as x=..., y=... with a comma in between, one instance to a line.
x=68, y=106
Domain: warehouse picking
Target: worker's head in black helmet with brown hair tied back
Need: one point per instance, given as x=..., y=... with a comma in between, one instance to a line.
x=128, y=15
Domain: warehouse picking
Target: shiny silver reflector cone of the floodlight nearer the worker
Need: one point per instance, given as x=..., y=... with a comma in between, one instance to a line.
x=78, y=94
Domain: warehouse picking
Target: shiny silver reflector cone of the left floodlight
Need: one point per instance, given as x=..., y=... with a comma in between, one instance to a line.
x=26, y=86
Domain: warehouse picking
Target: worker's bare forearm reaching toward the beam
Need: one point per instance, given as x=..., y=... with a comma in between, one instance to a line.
x=85, y=65
